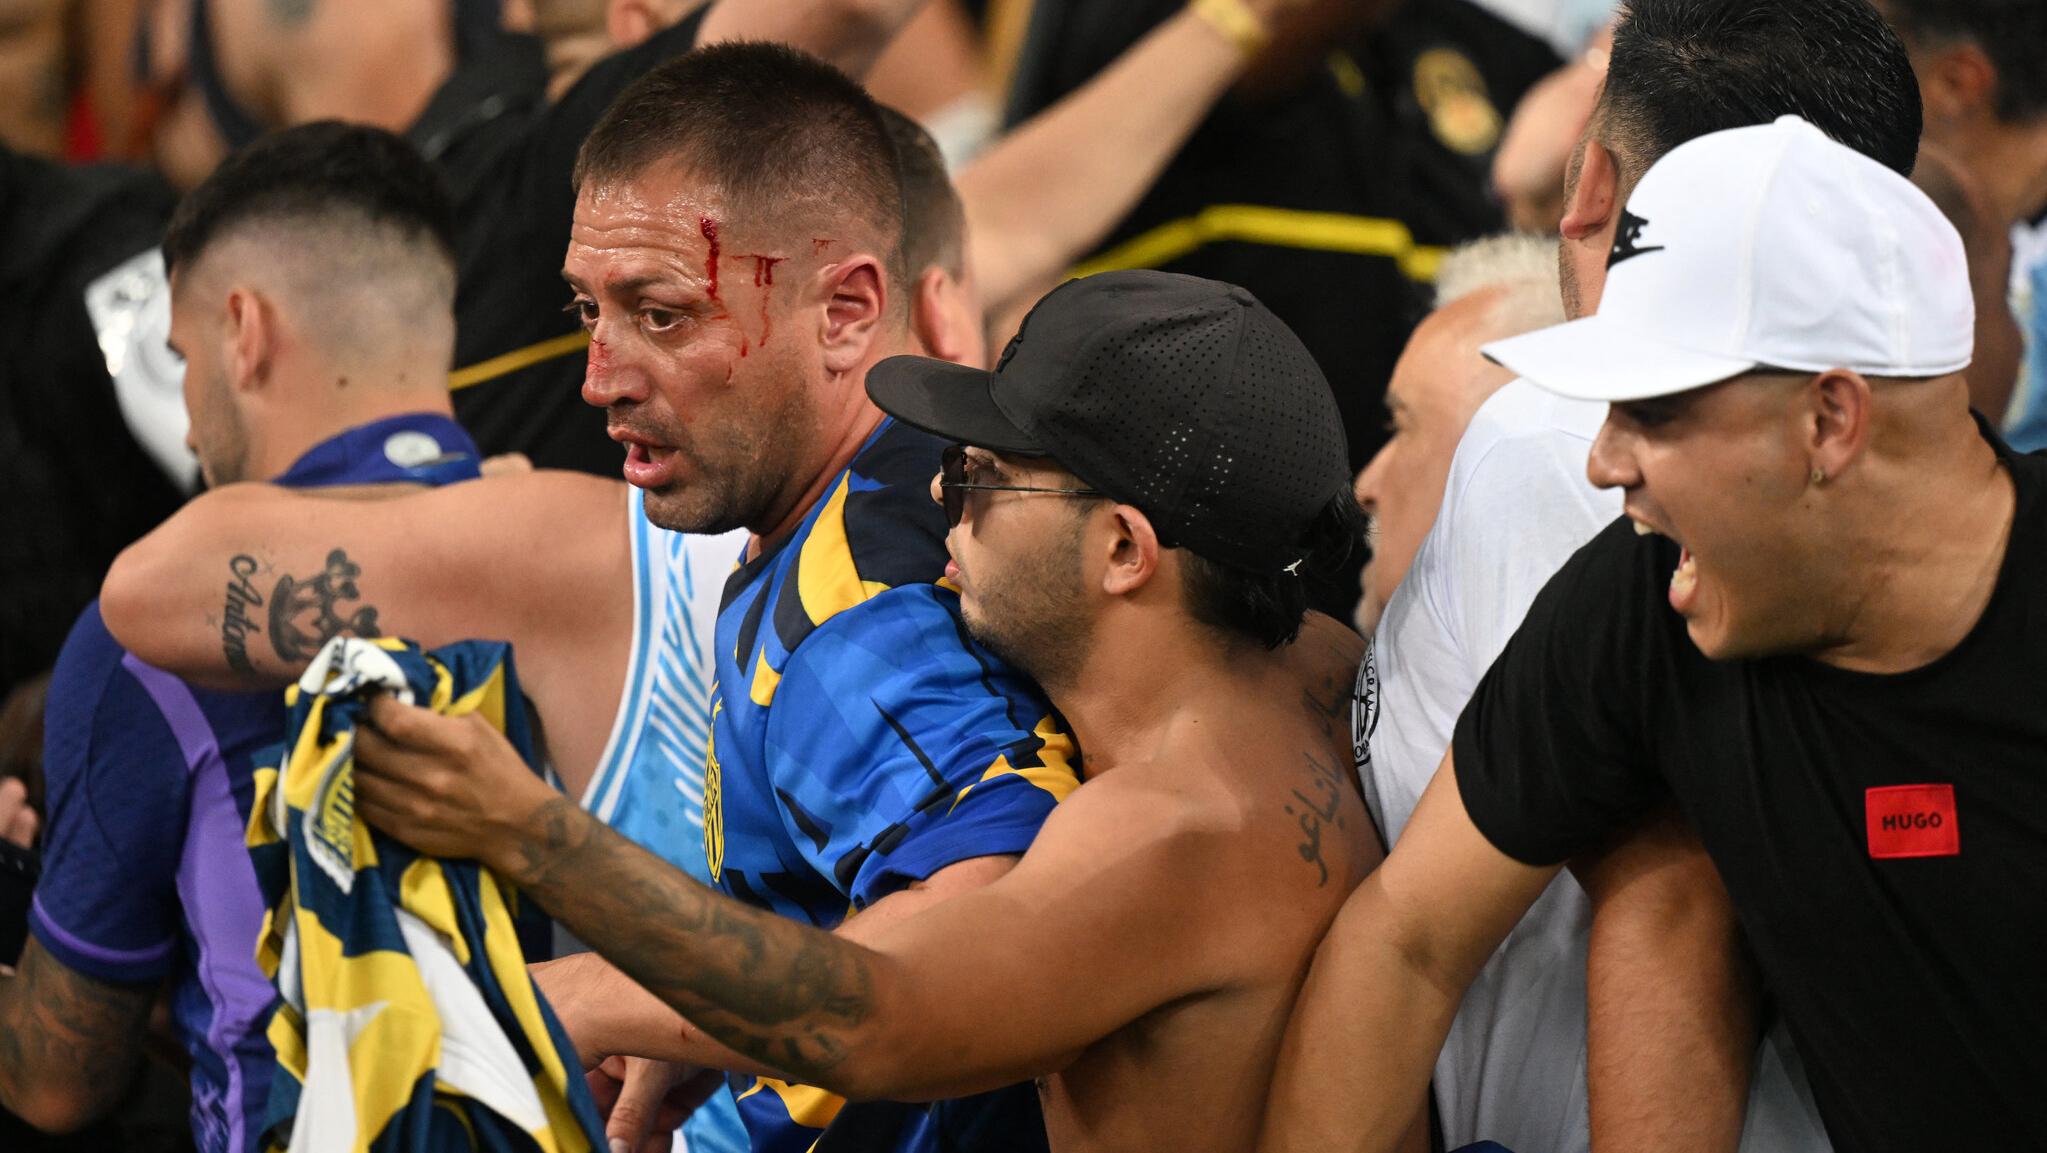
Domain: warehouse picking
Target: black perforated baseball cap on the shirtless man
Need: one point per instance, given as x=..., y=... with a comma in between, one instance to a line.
x=1180, y=396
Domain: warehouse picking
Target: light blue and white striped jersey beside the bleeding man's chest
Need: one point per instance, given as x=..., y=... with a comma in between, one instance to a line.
x=650, y=785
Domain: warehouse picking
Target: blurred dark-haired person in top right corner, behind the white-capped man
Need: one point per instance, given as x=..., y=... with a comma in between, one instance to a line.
x=1987, y=110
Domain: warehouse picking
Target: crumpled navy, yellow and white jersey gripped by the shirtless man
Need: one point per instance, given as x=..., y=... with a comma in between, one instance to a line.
x=406, y=1019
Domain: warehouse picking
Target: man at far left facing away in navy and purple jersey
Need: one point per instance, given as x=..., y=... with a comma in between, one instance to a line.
x=312, y=300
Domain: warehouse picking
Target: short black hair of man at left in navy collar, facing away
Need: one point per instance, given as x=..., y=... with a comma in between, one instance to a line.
x=318, y=175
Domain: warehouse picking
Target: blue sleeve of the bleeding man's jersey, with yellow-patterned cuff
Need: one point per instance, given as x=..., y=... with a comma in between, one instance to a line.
x=898, y=746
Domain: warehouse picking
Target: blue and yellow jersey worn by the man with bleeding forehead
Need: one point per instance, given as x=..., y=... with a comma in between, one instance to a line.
x=863, y=742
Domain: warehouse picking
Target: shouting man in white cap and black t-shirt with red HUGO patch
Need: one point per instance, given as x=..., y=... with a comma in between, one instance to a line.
x=1813, y=634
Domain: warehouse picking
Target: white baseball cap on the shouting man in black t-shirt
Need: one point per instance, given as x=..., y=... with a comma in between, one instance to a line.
x=1763, y=249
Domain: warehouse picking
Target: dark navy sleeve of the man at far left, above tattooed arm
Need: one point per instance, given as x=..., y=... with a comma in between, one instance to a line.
x=107, y=902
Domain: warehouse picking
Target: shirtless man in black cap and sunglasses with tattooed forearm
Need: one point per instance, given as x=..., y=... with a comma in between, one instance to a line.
x=1156, y=595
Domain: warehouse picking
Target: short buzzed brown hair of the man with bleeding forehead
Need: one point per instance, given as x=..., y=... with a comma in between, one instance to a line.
x=773, y=128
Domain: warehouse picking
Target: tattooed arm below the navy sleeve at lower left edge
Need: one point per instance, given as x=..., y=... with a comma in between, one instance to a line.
x=67, y=1033
